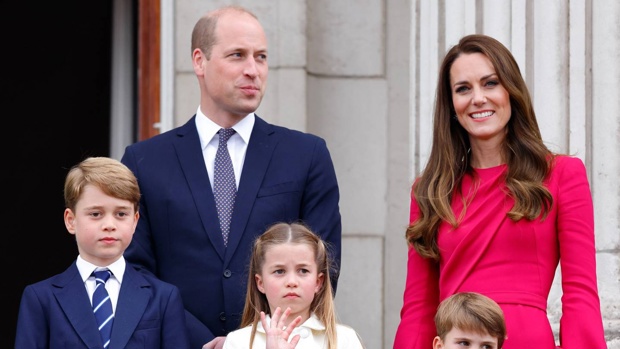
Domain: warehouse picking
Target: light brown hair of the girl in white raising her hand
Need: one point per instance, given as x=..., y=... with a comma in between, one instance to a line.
x=323, y=303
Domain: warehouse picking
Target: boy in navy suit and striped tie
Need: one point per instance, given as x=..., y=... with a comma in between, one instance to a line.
x=131, y=310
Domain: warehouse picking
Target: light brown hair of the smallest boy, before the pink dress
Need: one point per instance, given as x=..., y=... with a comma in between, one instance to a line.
x=472, y=312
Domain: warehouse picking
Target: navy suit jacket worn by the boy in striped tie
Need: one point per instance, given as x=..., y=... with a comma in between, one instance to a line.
x=56, y=313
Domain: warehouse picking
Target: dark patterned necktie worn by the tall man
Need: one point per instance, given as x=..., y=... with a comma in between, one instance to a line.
x=224, y=185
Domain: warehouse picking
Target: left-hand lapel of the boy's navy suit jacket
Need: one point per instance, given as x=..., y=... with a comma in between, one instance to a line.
x=73, y=299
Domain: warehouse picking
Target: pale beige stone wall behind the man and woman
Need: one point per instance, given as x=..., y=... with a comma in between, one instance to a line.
x=362, y=74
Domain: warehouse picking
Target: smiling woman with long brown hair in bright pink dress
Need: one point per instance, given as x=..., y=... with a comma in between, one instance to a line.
x=495, y=211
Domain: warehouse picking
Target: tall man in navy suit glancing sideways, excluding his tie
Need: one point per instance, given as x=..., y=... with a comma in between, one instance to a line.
x=281, y=175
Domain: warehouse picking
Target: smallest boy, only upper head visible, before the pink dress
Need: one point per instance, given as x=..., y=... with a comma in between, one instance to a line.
x=469, y=320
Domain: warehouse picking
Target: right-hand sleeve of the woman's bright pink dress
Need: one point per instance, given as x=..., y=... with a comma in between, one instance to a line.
x=581, y=325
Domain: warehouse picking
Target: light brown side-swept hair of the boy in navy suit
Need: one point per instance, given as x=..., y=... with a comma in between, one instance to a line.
x=111, y=176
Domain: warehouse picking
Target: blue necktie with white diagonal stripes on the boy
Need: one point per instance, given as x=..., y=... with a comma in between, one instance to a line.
x=102, y=306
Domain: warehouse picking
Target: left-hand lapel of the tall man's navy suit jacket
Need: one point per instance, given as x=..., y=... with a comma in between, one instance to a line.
x=188, y=150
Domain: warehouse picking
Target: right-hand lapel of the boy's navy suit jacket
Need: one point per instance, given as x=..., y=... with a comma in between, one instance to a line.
x=133, y=298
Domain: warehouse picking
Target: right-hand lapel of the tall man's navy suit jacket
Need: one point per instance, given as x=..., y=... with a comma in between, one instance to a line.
x=259, y=152
